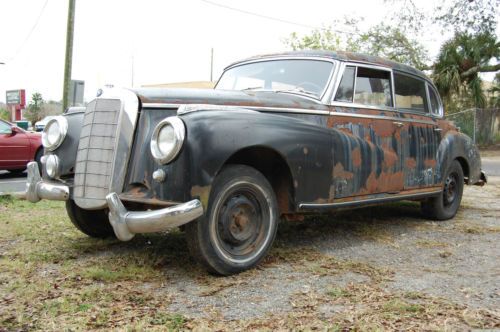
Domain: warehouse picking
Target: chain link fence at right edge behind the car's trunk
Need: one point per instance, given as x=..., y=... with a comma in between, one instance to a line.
x=481, y=124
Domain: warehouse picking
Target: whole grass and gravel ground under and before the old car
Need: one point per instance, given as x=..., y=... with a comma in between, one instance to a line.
x=375, y=268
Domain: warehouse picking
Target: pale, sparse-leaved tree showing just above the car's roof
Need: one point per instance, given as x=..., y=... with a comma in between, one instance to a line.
x=381, y=40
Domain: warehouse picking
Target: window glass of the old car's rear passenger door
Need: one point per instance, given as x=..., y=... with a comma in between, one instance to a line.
x=410, y=93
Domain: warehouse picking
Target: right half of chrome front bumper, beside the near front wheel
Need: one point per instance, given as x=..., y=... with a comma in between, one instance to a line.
x=128, y=223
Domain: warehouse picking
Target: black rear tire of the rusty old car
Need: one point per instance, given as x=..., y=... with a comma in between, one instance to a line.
x=445, y=206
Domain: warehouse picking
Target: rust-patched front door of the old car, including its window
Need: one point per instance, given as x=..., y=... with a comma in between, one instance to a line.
x=367, y=133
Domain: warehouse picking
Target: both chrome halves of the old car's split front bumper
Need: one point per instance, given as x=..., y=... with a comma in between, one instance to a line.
x=125, y=223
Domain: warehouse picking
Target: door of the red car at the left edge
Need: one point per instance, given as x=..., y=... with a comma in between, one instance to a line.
x=14, y=147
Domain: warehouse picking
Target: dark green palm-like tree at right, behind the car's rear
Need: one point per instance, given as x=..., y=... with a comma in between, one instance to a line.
x=460, y=60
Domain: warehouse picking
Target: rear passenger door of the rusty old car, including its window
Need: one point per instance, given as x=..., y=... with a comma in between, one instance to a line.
x=420, y=151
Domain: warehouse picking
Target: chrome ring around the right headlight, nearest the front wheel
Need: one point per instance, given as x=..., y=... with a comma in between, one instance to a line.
x=179, y=131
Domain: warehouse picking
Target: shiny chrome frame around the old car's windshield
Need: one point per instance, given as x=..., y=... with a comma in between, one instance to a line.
x=326, y=91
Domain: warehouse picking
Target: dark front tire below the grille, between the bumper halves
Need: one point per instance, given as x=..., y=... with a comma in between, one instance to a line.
x=94, y=223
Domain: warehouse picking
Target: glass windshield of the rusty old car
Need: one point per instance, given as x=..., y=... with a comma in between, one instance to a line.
x=309, y=77
